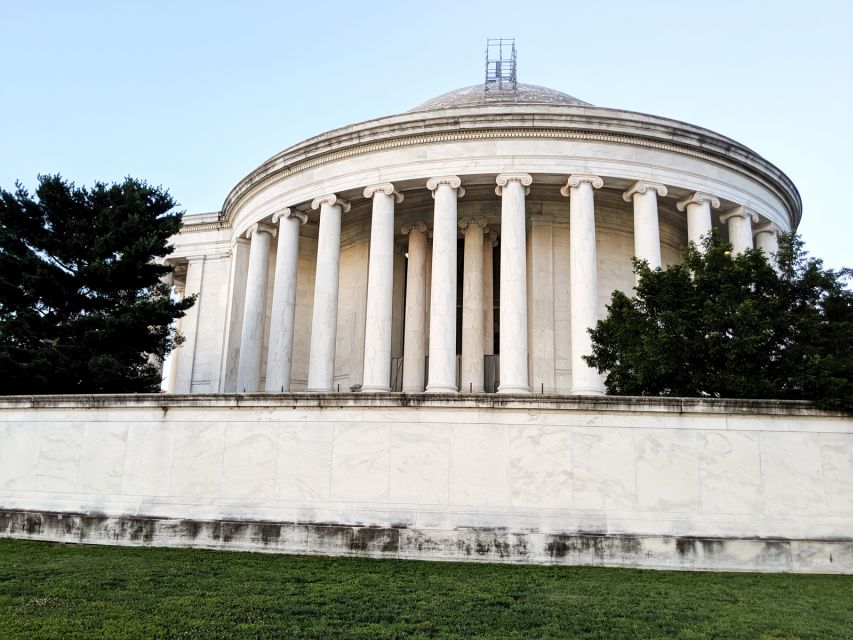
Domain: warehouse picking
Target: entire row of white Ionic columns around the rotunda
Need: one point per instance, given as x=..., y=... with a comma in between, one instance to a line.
x=477, y=320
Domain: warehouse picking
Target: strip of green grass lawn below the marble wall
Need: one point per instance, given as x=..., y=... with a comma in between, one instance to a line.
x=69, y=591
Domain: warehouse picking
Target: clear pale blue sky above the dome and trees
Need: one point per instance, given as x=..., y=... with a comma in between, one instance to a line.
x=194, y=95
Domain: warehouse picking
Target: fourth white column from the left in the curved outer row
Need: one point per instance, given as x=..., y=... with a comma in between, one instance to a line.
x=380, y=288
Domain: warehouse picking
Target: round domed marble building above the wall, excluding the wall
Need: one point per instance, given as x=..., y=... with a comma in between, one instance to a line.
x=464, y=245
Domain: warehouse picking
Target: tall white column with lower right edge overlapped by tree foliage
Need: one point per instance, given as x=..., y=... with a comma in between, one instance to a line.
x=583, y=281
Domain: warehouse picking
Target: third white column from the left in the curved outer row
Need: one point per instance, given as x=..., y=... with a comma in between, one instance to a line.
x=324, y=322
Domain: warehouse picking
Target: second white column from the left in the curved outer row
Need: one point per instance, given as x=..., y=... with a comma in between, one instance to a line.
x=280, y=350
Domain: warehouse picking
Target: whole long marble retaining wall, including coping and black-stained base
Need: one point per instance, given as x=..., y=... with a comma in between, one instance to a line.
x=666, y=483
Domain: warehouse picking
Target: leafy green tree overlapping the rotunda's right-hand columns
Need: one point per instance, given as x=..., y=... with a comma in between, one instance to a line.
x=732, y=326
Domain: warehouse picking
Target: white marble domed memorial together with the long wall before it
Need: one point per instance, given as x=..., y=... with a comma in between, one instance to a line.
x=385, y=359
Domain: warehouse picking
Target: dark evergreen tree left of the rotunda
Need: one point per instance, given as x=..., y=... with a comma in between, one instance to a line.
x=82, y=305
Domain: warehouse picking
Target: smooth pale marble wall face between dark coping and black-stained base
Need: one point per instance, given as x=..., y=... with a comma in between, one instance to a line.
x=529, y=467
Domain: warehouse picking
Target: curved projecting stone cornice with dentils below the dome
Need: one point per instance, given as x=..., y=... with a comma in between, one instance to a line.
x=570, y=123
